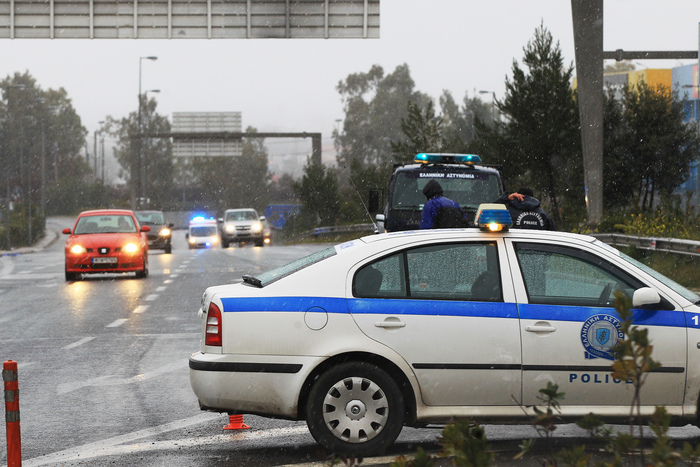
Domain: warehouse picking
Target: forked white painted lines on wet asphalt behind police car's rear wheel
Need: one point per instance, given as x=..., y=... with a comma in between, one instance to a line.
x=116, y=446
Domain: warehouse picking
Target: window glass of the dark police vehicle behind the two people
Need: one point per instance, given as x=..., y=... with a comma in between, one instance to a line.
x=468, y=188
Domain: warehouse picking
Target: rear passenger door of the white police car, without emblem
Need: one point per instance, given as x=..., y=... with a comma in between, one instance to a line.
x=448, y=310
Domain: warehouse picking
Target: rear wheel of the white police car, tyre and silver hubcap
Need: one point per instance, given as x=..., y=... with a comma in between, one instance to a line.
x=355, y=387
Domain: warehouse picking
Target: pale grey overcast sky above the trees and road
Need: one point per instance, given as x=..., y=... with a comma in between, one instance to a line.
x=289, y=85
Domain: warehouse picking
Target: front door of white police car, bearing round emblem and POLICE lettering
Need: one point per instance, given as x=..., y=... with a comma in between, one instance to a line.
x=568, y=326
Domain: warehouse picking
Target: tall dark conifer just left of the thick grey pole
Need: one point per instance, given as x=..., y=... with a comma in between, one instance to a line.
x=539, y=139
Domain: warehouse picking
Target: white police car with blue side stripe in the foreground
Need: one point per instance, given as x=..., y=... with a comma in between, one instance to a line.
x=411, y=328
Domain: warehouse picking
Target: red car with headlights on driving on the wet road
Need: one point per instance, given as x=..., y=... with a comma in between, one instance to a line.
x=106, y=241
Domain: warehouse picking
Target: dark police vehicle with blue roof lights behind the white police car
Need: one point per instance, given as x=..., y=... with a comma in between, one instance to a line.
x=462, y=180
